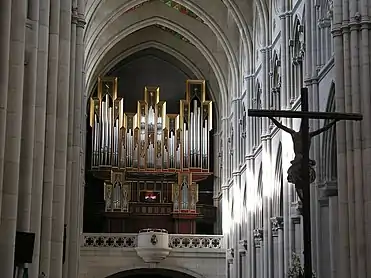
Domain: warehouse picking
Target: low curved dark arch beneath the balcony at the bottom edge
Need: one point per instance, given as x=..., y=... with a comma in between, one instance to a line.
x=164, y=272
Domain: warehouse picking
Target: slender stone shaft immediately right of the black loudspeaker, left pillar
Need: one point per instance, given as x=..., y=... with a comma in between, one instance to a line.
x=39, y=136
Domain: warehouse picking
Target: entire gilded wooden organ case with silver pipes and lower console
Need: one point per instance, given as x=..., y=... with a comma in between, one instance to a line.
x=132, y=150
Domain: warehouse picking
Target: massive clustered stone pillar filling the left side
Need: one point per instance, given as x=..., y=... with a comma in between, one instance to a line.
x=41, y=122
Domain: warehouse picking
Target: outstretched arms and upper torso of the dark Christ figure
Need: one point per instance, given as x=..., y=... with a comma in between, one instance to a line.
x=296, y=137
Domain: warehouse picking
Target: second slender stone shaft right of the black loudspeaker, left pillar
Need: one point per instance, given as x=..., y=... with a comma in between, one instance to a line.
x=49, y=159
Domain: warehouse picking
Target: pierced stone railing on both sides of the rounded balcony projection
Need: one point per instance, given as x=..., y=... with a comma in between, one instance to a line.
x=176, y=241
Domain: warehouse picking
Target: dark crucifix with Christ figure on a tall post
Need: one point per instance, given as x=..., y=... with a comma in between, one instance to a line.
x=301, y=172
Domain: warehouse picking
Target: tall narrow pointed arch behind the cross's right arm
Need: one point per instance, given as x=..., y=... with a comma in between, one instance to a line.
x=329, y=150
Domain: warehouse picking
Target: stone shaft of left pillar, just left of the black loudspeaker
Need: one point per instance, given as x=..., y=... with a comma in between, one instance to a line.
x=13, y=129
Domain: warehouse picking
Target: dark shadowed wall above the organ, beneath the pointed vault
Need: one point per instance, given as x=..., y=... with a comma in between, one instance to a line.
x=151, y=67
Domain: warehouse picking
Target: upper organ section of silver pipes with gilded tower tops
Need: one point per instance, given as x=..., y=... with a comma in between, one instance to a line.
x=150, y=139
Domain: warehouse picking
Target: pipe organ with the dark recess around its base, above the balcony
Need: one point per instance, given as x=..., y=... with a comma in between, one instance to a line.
x=150, y=169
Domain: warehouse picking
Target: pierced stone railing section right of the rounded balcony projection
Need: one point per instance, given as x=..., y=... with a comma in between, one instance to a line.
x=195, y=241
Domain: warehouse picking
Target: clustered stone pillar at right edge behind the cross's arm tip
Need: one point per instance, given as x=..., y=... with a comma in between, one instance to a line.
x=352, y=71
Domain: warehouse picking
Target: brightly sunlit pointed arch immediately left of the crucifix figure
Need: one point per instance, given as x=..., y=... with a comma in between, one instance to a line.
x=278, y=184
